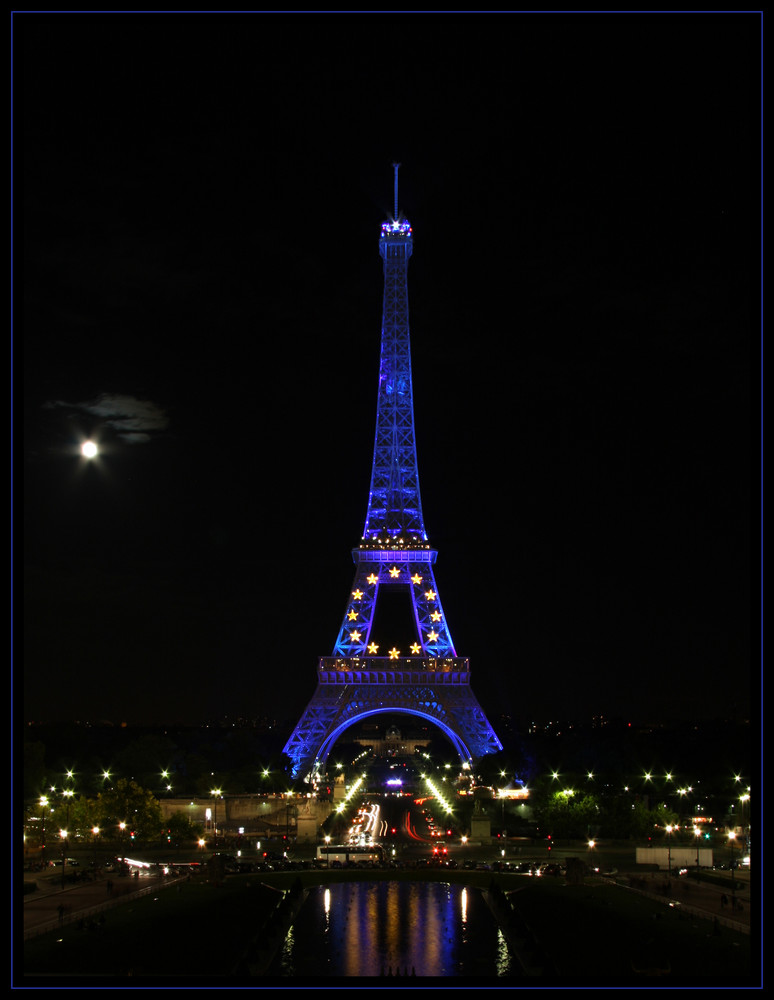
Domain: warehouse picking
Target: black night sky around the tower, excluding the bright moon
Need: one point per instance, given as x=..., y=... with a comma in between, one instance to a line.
x=198, y=201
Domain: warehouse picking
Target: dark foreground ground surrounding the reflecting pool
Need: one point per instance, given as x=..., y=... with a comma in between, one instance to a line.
x=173, y=933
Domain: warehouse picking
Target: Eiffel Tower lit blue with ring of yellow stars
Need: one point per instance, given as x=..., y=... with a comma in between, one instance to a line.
x=364, y=677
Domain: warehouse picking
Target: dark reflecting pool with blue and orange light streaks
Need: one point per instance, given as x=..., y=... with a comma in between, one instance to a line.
x=427, y=929
